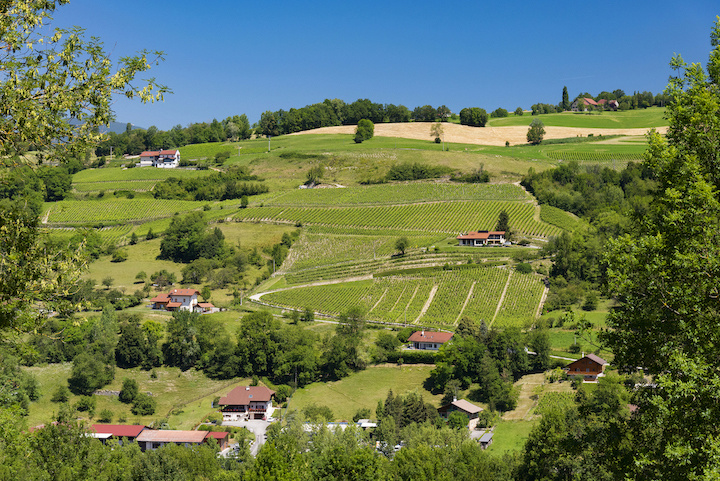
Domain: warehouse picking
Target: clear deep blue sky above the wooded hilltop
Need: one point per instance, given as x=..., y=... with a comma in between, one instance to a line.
x=226, y=58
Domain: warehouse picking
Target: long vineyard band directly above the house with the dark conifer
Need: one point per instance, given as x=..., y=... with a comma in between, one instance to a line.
x=440, y=217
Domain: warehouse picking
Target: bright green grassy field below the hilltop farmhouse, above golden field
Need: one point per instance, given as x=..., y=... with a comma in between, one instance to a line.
x=628, y=119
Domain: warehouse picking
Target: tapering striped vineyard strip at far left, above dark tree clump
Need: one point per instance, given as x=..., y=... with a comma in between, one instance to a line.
x=113, y=211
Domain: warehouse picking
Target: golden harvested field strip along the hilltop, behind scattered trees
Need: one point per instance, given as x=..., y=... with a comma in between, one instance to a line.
x=463, y=134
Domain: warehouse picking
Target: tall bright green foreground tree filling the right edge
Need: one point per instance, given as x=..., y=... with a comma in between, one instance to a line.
x=662, y=275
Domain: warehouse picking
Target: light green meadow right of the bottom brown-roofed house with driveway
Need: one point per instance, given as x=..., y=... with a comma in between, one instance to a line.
x=364, y=389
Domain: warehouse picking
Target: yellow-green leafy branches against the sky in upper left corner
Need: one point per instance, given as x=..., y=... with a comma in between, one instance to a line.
x=59, y=106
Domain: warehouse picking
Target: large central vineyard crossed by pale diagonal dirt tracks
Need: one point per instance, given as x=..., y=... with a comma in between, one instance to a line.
x=438, y=297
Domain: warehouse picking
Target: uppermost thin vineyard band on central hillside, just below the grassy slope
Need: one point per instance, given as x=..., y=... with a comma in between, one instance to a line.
x=399, y=194
